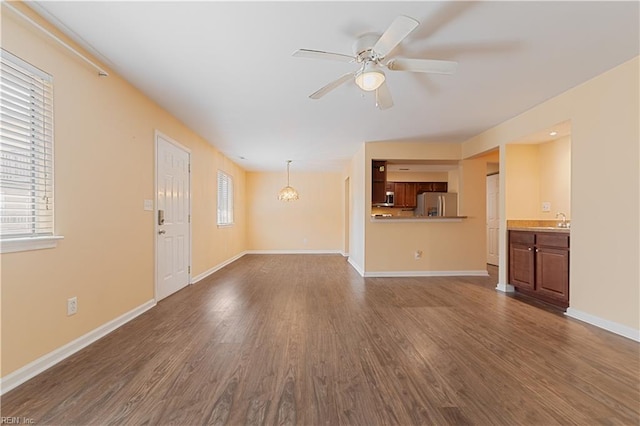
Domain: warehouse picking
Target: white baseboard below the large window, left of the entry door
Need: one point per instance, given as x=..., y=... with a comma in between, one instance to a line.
x=41, y=364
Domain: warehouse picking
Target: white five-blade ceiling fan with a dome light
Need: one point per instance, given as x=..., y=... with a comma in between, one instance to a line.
x=370, y=51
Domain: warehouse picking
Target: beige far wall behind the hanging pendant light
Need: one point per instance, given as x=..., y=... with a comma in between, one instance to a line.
x=314, y=222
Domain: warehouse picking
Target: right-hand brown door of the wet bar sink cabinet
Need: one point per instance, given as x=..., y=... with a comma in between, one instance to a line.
x=552, y=272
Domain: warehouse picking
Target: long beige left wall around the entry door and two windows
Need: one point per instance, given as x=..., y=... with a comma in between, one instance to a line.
x=104, y=169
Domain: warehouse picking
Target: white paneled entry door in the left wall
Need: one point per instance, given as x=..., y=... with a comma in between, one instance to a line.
x=173, y=243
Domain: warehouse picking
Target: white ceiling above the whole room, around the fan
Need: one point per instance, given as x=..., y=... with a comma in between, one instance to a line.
x=226, y=70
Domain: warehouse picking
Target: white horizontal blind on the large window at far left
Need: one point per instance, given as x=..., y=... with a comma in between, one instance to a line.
x=26, y=149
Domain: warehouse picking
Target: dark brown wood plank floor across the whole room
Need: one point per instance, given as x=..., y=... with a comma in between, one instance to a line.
x=303, y=339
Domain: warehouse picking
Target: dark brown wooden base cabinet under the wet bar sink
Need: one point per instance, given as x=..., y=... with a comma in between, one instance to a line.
x=539, y=265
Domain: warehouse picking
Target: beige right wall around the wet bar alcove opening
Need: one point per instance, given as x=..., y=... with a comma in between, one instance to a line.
x=605, y=248
